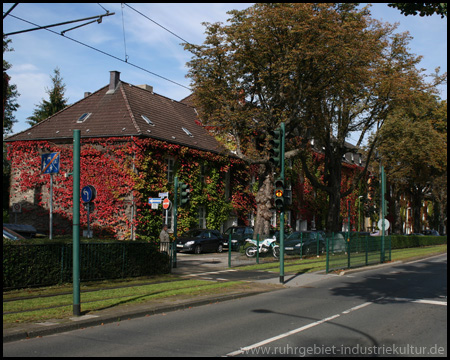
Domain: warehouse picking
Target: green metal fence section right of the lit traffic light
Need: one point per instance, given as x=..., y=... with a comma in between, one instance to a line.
x=344, y=252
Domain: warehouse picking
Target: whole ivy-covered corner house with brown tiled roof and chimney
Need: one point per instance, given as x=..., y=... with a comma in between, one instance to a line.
x=134, y=142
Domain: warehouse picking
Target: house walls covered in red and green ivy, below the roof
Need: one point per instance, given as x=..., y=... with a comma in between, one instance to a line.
x=126, y=172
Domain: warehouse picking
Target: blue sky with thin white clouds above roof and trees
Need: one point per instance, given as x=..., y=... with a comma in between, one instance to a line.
x=145, y=49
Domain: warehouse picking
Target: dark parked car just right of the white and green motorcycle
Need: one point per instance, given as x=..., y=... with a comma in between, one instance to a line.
x=305, y=240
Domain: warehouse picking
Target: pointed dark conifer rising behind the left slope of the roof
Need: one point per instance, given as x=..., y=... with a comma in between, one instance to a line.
x=56, y=101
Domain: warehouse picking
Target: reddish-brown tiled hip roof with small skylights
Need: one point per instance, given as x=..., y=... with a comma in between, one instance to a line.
x=120, y=114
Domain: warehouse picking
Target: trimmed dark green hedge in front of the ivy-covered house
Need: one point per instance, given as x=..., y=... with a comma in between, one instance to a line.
x=27, y=265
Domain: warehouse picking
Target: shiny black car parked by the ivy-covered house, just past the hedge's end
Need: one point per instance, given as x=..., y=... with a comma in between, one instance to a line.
x=200, y=240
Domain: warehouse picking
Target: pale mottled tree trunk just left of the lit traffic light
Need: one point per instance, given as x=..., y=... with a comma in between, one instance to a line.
x=264, y=205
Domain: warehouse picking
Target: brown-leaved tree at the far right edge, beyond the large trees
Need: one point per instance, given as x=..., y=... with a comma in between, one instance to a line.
x=413, y=149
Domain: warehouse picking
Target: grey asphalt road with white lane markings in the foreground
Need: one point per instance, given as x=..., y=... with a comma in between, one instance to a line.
x=398, y=310
